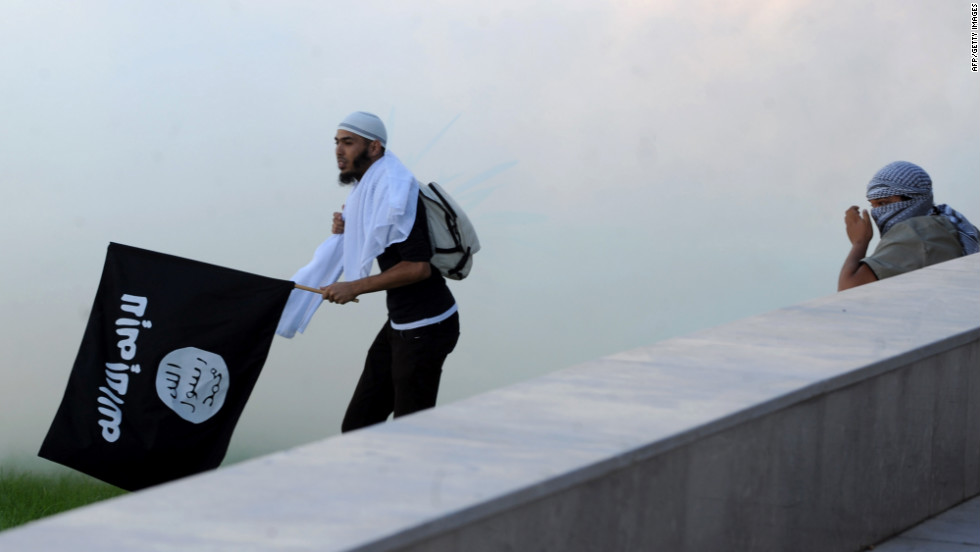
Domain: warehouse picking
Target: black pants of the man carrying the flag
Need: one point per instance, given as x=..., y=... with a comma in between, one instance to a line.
x=401, y=373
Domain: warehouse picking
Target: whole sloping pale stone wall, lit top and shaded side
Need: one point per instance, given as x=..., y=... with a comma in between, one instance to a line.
x=828, y=425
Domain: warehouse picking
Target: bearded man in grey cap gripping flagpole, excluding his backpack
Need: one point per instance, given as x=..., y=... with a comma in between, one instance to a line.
x=383, y=219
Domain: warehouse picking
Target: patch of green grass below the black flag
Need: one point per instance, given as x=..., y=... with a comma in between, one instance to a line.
x=27, y=496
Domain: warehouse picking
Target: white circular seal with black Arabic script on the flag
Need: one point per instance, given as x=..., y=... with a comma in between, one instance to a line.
x=193, y=383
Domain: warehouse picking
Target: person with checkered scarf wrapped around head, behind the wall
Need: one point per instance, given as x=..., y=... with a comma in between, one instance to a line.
x=914, y=232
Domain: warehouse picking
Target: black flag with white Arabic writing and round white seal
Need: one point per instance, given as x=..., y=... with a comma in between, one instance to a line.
x=172, y=350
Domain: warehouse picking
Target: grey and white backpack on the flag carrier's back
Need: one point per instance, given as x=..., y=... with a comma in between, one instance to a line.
x=452, y=234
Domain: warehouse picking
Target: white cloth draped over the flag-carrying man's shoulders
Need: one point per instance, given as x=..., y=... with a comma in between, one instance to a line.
x=380, y=211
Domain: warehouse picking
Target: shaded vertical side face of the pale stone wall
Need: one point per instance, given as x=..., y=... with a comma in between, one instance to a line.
x=834, y=472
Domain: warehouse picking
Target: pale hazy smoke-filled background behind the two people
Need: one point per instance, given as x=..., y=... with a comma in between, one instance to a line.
x=635, y=169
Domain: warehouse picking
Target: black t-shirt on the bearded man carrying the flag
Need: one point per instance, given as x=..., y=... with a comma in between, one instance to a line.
x=425, y=299
